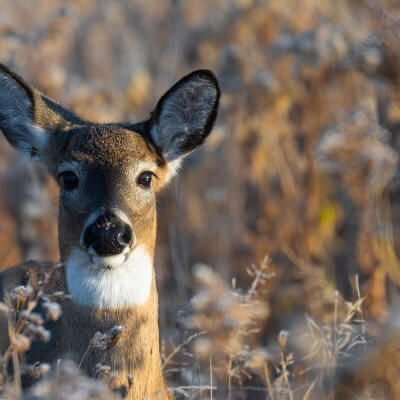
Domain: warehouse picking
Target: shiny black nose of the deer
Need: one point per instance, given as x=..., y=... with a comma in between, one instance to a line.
x=108, y=235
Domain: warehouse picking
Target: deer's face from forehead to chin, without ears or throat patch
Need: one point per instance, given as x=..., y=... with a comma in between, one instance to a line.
x=108, y=179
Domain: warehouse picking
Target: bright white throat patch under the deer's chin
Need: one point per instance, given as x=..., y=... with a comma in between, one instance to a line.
x=125, y=284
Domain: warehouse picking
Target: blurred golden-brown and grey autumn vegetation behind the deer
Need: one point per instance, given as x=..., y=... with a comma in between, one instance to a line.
x=302, y=164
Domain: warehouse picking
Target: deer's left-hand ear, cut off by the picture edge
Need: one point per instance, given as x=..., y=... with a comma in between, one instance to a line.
x=28, y=119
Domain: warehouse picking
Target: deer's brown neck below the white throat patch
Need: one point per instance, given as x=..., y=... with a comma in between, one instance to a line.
x=136, y=355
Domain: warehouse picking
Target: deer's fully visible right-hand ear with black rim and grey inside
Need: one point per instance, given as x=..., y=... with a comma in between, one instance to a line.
x=185, y=115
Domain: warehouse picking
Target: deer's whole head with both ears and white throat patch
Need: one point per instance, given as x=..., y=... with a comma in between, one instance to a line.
x=109, y=175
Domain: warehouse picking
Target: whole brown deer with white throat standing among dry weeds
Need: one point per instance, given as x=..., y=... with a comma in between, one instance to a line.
x=109, y=175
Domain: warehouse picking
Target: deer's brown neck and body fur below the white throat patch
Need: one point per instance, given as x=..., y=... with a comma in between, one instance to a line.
x=136, y=354
